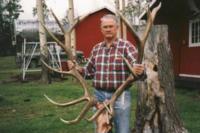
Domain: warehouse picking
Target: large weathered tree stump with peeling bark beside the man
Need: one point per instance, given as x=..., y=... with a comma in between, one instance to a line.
x=156, y=109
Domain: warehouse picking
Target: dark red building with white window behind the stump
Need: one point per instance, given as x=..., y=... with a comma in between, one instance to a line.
x=183, y=20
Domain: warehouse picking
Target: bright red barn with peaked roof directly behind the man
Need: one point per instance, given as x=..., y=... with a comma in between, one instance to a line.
x=88, y=31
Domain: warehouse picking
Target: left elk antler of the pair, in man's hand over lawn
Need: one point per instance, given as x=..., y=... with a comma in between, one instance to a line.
x=67, y=48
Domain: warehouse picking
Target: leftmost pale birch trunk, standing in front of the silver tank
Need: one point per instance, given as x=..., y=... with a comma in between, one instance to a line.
x=43, y=47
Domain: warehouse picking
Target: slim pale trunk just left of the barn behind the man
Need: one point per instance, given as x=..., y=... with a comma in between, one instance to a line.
x=71, y=21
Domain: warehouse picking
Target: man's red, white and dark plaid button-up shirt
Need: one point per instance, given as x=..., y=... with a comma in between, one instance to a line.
x=106, y=66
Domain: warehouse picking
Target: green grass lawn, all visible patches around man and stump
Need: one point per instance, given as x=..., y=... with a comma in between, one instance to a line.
x=23, y=108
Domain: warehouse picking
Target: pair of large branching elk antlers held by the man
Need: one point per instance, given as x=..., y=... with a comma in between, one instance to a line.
x=91, y=101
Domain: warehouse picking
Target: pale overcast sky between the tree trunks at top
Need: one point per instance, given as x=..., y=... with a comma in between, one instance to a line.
x=60, y=6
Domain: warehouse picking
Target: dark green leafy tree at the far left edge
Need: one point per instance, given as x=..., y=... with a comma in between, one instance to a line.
x=9, y=12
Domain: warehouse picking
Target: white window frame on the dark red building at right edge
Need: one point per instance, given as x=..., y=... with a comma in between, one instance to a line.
x=195, y=44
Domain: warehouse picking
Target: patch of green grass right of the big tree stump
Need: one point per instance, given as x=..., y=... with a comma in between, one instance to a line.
x=188, y=102
